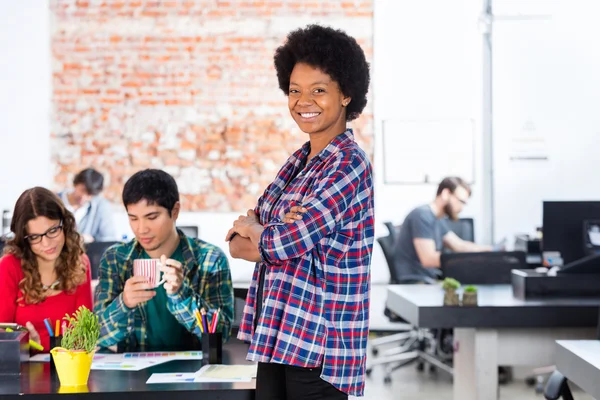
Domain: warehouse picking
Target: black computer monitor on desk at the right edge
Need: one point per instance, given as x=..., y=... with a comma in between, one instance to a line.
x=564, y=227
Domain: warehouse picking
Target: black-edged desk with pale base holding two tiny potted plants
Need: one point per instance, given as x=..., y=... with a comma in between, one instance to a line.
x=502, y=330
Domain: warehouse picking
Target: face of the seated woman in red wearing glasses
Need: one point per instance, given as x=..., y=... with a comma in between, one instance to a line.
x=49, y=246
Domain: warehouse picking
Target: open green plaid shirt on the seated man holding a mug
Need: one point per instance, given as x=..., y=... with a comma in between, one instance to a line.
x=207, y=283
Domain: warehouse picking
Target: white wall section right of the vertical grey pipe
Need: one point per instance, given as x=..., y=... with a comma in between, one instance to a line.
x=546, y=97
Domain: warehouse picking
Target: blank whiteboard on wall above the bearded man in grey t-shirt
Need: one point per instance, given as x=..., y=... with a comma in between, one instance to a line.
x=427, y=150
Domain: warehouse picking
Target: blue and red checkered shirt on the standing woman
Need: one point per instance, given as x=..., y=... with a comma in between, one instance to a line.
x=315, y=307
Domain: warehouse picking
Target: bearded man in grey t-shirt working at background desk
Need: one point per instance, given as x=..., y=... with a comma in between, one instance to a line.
x=424, y=232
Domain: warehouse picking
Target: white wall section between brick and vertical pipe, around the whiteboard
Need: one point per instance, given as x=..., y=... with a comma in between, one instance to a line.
x=427, y=65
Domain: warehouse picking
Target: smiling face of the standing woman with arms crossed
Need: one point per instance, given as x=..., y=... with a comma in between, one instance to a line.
x=316, y=102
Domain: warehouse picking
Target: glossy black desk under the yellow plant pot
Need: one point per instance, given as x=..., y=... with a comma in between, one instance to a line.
x=35, y=380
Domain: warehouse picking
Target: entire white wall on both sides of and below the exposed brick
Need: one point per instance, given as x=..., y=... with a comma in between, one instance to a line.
x=427, y=65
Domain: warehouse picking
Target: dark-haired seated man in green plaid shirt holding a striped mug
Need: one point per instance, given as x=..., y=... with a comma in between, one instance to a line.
x=196, y=274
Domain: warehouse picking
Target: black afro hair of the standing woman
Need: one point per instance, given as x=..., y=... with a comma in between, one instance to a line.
x=333, y=52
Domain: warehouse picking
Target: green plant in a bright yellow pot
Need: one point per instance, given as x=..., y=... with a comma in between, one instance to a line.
x=73, y=359
